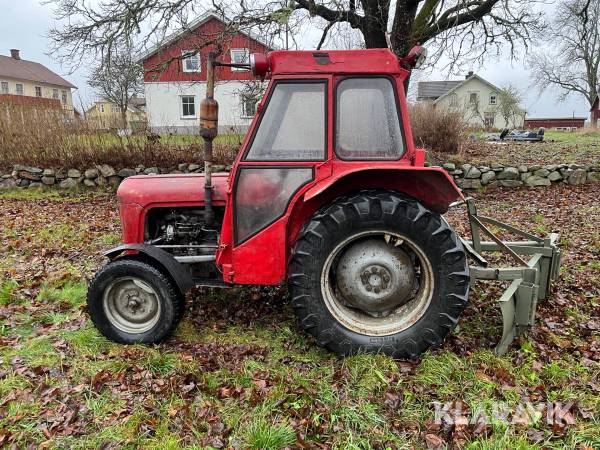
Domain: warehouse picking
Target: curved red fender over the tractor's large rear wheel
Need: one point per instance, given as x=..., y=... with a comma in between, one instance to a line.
x=432, y=186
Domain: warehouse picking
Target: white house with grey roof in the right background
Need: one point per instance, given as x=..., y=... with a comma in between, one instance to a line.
x=476, y=98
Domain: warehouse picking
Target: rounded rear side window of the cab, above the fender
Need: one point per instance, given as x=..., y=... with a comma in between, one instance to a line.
x=367, y=124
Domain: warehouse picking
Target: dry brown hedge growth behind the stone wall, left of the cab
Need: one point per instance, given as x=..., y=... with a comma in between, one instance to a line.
x=47, y=139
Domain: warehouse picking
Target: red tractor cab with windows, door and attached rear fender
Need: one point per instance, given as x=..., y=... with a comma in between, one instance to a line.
x=328, y=122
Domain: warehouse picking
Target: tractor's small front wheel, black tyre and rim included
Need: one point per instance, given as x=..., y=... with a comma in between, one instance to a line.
x=131, y=301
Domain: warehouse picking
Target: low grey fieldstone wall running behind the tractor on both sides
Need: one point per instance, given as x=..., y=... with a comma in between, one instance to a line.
x=467, y=176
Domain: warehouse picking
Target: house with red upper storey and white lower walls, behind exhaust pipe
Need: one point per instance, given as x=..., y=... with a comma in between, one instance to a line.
x=175, y=77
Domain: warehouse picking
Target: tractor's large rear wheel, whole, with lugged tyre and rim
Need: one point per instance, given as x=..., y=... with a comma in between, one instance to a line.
x=378, y=272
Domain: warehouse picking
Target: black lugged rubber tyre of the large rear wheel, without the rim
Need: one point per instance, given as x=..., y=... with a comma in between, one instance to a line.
x=360, y=209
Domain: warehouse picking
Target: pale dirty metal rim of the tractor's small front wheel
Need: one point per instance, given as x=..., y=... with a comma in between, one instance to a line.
x=131, y=305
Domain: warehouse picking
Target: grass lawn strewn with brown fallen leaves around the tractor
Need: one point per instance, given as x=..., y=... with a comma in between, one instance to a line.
x=238, y=373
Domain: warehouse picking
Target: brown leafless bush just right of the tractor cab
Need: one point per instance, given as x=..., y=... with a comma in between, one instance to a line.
x=437, y=130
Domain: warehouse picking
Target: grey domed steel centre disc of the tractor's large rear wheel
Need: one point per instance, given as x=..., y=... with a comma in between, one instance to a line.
x=375, y=277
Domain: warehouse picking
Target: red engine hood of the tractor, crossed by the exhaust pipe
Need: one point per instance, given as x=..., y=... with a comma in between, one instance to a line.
x=179, y=189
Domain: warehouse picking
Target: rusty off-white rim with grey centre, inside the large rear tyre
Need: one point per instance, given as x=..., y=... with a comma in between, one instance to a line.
x=377, y=283
